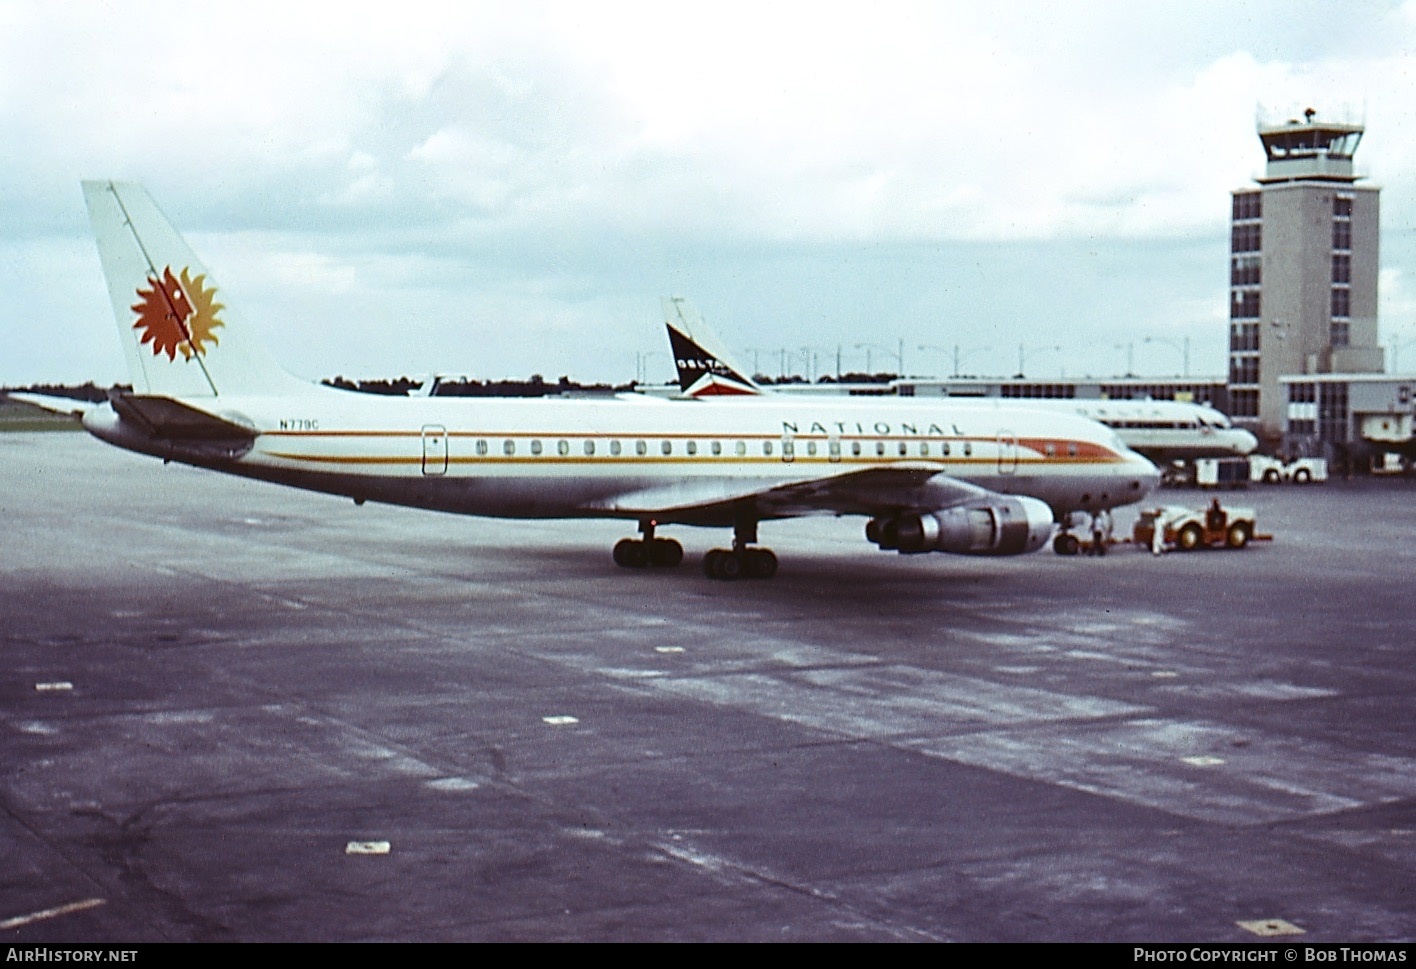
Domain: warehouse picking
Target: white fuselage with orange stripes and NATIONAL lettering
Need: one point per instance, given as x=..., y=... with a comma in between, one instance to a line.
x=577, y=458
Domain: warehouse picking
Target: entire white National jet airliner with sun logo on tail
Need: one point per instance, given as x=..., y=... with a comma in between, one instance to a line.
x=928, y=477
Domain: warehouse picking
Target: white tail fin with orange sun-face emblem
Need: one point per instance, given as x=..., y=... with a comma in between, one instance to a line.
x=179, y=338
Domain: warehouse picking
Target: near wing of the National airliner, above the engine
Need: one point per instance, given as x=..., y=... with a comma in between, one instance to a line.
x=920, y=487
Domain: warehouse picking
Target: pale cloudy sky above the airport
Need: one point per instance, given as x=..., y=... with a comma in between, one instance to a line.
x=509, y=189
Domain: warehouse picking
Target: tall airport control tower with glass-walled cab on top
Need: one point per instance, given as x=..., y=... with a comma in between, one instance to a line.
x=1303, y=266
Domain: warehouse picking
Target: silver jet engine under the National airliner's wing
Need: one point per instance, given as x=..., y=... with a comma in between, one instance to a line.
x=1009, y=526
